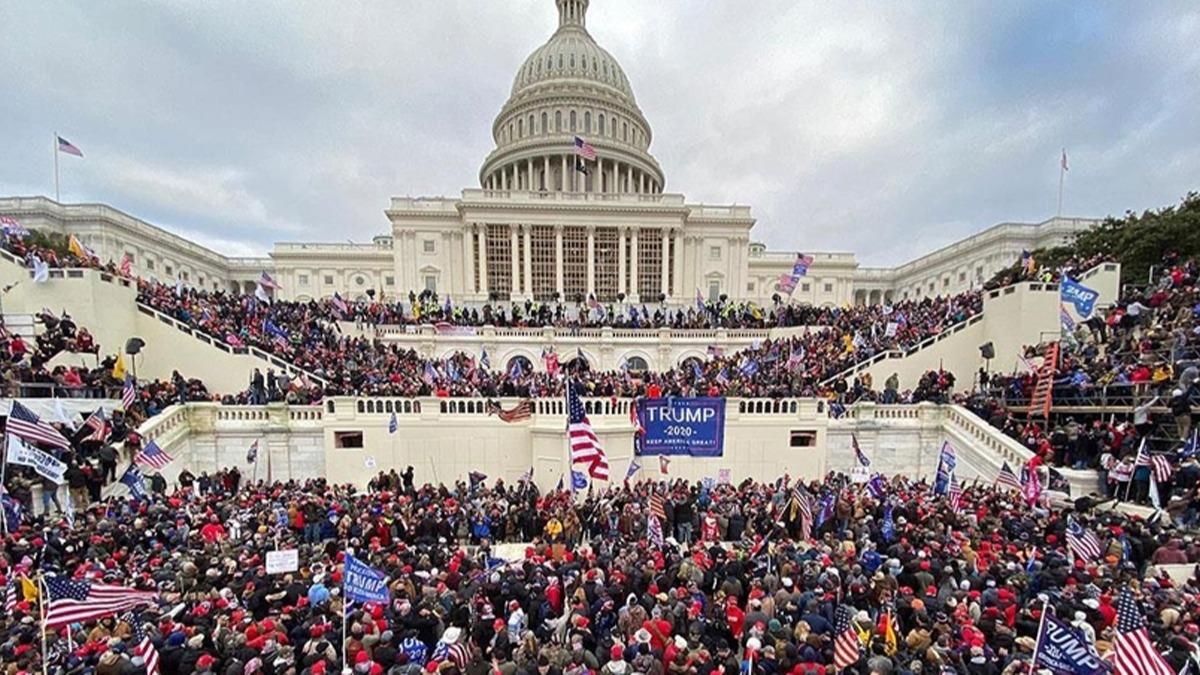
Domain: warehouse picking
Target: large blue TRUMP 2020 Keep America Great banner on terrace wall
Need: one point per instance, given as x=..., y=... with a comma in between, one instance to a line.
x=682, y=427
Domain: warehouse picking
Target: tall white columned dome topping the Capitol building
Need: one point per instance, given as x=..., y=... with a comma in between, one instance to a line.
x=572, y=88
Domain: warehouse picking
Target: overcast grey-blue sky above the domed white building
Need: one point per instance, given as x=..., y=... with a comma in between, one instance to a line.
x=885, y=129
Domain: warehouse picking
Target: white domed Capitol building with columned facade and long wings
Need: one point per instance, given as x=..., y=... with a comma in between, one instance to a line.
x=541, y=228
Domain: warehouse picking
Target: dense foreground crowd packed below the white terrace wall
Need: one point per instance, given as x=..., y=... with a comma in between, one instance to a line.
x=737, y=583
